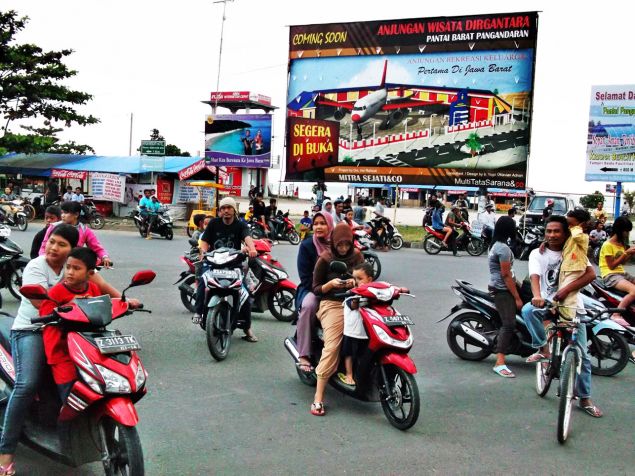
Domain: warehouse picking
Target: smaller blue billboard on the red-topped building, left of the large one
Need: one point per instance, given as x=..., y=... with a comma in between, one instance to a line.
x=238, y=140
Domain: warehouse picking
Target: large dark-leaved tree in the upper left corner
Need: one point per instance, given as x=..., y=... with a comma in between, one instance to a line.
x=30, y=82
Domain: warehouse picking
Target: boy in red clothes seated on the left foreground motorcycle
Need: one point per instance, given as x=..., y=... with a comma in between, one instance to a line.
x=78, y=269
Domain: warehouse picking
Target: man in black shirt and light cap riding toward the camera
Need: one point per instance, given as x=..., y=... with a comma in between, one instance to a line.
x=226, y=231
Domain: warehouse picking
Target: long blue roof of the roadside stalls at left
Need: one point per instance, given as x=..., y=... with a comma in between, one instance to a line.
x=42, y=164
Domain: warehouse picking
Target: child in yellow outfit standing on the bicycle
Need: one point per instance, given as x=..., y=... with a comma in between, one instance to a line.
x=574, y=259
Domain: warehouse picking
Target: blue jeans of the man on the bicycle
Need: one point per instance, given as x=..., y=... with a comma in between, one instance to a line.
x=533, y=318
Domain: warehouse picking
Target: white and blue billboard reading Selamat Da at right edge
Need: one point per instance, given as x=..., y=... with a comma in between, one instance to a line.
x=611, y=134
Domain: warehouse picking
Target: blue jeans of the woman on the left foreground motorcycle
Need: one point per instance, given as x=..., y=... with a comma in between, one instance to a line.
x=27, y=349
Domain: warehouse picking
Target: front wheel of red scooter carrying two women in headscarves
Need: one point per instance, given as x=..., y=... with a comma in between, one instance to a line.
x=400, y=399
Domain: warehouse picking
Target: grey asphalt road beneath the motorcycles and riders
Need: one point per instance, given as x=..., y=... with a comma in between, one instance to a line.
x=250, y=413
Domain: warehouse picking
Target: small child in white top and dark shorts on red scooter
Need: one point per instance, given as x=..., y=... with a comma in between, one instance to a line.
x=355, y=338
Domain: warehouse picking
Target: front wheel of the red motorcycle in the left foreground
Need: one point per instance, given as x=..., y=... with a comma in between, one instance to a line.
x=123, y=448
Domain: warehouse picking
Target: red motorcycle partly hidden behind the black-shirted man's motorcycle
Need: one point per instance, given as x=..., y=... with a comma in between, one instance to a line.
x=271, y=288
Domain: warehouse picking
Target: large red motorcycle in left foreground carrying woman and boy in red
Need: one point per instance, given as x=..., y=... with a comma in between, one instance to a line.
x=97, y=422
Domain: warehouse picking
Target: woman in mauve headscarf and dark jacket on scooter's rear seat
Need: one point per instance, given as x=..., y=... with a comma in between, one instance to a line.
x=306, y=301
